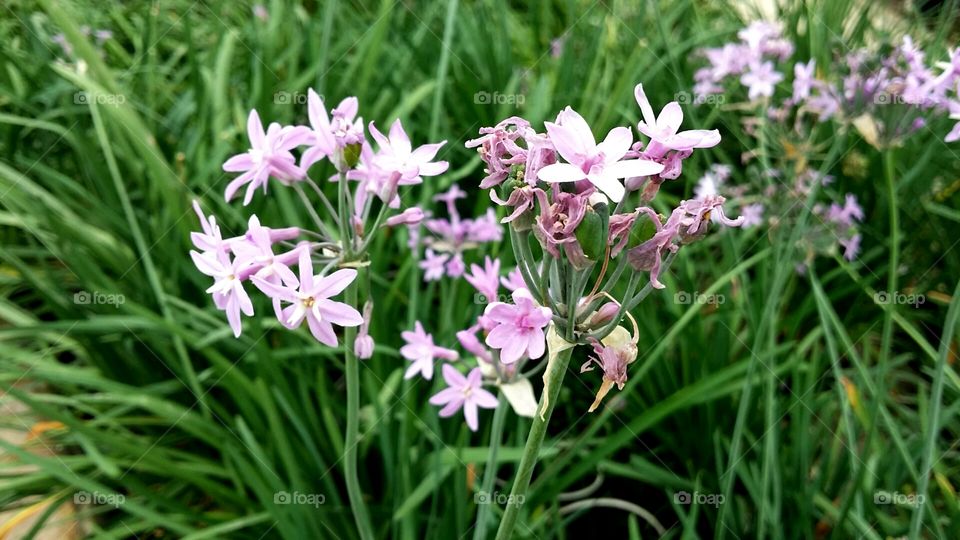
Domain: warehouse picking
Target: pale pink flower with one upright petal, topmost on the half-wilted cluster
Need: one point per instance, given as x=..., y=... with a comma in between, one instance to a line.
x=663, y=129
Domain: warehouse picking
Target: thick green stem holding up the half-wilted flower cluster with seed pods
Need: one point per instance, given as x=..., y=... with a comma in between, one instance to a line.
x=531, y=451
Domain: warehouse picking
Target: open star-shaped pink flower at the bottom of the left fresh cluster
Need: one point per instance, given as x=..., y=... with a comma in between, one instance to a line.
x=311, y=301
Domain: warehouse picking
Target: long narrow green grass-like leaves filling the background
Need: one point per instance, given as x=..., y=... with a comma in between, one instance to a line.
x=797, y=399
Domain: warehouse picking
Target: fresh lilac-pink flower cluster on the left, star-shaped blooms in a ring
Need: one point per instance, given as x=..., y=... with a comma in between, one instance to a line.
x=365, y=170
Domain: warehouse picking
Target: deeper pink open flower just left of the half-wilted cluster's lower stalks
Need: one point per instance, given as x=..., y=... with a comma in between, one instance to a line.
x=518, y=329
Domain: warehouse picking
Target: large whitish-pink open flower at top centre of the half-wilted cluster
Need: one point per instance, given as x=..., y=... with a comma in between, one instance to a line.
x=598, y=163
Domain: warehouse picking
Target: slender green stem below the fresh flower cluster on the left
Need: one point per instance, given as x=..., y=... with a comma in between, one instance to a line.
x=353, y=426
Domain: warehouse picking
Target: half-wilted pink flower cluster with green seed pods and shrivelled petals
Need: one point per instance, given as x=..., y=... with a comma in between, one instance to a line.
x=585, y=203
